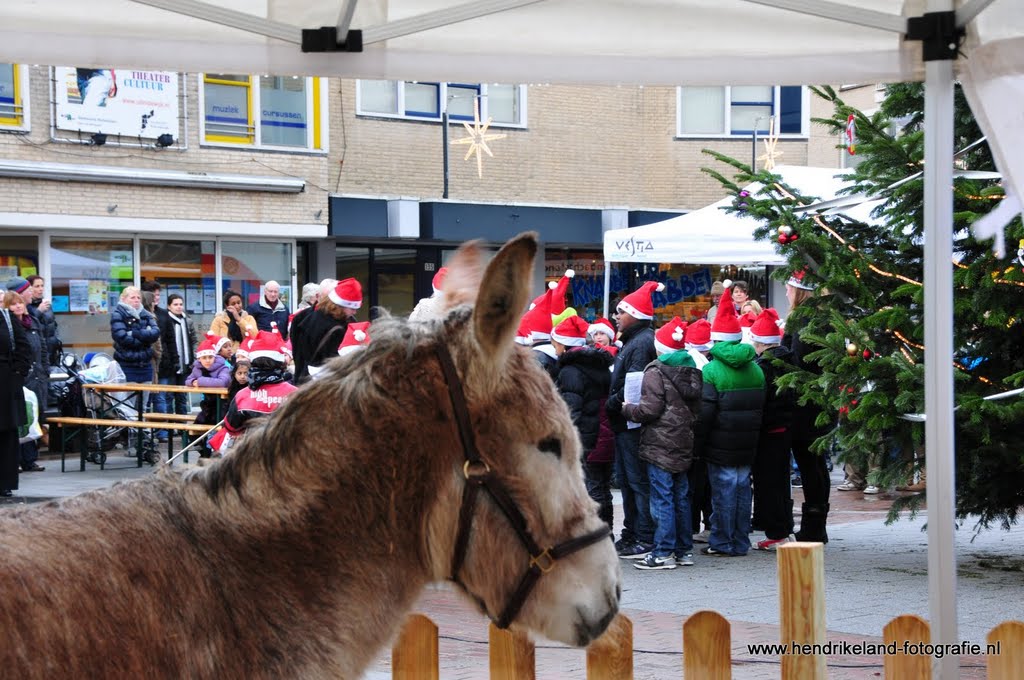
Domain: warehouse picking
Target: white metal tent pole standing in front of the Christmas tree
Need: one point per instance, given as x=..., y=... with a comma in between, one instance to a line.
x=940, y=444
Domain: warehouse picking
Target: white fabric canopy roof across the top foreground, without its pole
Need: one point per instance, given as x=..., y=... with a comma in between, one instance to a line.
x=697, y=42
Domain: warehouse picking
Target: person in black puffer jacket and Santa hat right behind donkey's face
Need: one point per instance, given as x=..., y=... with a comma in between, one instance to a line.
x=583, y=378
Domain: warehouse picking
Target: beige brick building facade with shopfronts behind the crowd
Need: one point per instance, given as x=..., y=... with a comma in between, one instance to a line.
x=209, y=182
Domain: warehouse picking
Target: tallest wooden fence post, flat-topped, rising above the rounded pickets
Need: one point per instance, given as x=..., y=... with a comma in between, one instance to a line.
x=802, y=609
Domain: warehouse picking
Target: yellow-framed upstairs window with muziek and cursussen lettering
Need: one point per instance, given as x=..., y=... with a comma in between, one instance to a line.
x=265, y=112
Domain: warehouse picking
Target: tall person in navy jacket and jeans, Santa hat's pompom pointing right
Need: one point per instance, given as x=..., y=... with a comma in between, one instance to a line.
x=634, y=315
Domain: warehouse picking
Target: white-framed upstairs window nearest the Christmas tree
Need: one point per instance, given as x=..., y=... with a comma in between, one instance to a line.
x=739, y=111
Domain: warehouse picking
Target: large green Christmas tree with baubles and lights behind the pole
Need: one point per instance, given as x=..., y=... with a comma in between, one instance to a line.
x=868, y=319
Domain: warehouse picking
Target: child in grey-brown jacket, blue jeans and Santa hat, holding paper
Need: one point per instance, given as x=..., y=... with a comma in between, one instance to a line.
x=670, y=402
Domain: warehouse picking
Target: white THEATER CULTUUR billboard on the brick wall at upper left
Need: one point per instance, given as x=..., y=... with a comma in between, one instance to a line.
x=122, y=102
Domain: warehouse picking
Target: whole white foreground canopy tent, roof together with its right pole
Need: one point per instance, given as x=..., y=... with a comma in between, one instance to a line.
x=694, y=42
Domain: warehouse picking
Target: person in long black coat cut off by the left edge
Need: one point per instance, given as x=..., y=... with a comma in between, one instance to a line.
x=15, y=366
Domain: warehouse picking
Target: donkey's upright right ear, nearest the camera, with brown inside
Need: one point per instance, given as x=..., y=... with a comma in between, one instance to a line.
x=504, y=294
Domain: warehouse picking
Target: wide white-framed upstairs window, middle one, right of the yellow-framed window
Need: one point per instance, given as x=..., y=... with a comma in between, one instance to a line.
x=506, y=105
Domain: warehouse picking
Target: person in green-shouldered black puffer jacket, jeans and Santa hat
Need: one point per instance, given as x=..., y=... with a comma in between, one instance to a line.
x=730, y=427
